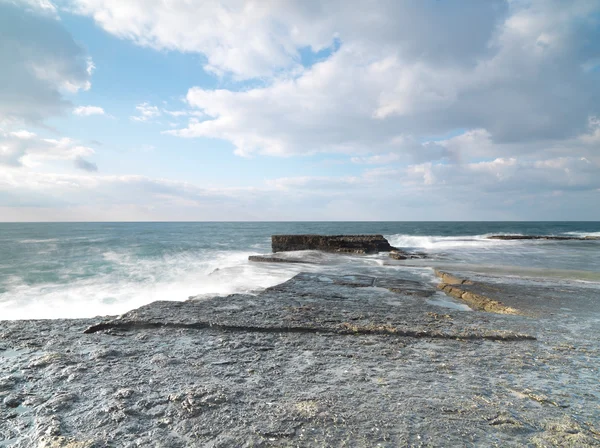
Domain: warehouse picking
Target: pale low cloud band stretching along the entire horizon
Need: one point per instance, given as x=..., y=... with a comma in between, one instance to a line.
x=504, y=188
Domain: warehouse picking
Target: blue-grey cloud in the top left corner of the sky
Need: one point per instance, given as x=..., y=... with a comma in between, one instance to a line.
x=40, y=60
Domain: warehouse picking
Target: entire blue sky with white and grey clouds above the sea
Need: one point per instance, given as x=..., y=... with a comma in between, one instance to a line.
x=231, y=110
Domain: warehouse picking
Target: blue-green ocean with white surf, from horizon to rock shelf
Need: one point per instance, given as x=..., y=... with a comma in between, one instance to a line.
x=68, y=270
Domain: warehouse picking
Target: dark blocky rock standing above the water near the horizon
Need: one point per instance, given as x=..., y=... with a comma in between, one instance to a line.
x=355, y=244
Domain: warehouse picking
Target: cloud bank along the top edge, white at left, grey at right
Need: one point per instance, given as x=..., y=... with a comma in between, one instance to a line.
x=259, y=39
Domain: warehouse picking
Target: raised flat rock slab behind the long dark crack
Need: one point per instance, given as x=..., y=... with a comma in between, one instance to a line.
x=312, y=303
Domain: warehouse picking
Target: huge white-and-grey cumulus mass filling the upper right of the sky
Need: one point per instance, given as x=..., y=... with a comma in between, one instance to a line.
x=518, y=70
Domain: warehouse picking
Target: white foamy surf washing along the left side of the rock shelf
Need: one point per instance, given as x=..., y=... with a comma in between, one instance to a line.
x=127, y=282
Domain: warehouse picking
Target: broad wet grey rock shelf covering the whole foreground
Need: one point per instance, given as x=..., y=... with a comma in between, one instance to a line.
x=320, y=360
